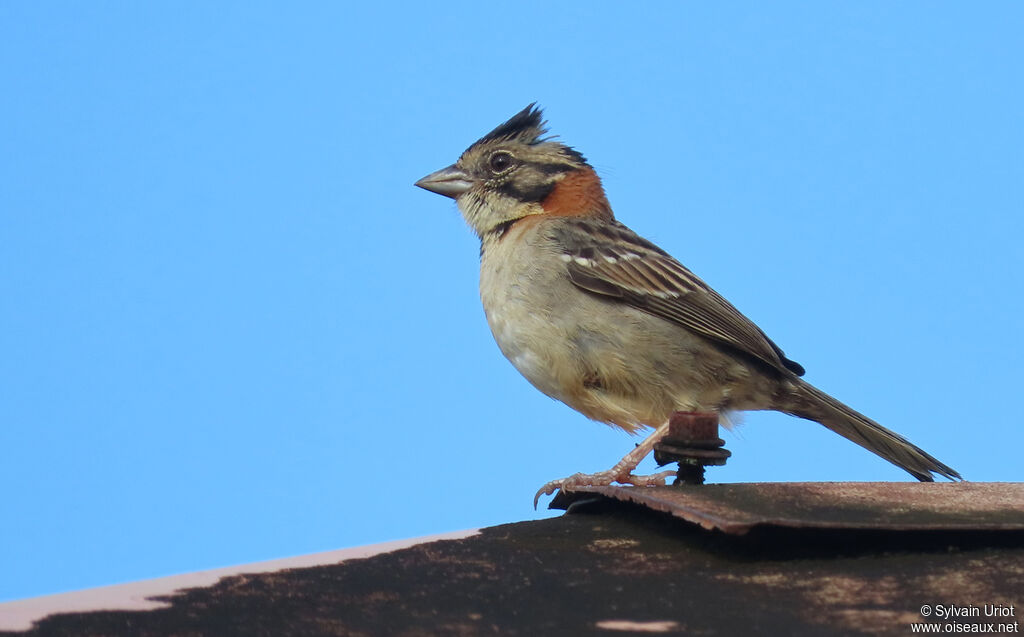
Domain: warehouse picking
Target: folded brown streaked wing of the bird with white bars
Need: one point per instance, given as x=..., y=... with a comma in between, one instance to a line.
x=612, y=261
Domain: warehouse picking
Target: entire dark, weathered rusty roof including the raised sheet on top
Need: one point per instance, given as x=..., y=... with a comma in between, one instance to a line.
x=624, y=566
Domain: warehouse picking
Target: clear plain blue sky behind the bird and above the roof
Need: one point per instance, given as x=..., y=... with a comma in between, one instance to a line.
x=233, y=330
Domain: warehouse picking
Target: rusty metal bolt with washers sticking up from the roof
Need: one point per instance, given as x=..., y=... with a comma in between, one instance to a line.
x=693, y=442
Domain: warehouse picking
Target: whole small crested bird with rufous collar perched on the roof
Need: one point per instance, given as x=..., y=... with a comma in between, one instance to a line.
x=607, y=322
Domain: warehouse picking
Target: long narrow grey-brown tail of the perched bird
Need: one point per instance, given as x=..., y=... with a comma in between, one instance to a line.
x=808, y=402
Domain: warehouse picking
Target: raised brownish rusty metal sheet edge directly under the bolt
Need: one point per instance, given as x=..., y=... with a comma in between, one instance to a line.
x=738, y=509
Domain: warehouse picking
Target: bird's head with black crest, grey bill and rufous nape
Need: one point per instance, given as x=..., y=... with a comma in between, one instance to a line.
x=515, y=172
